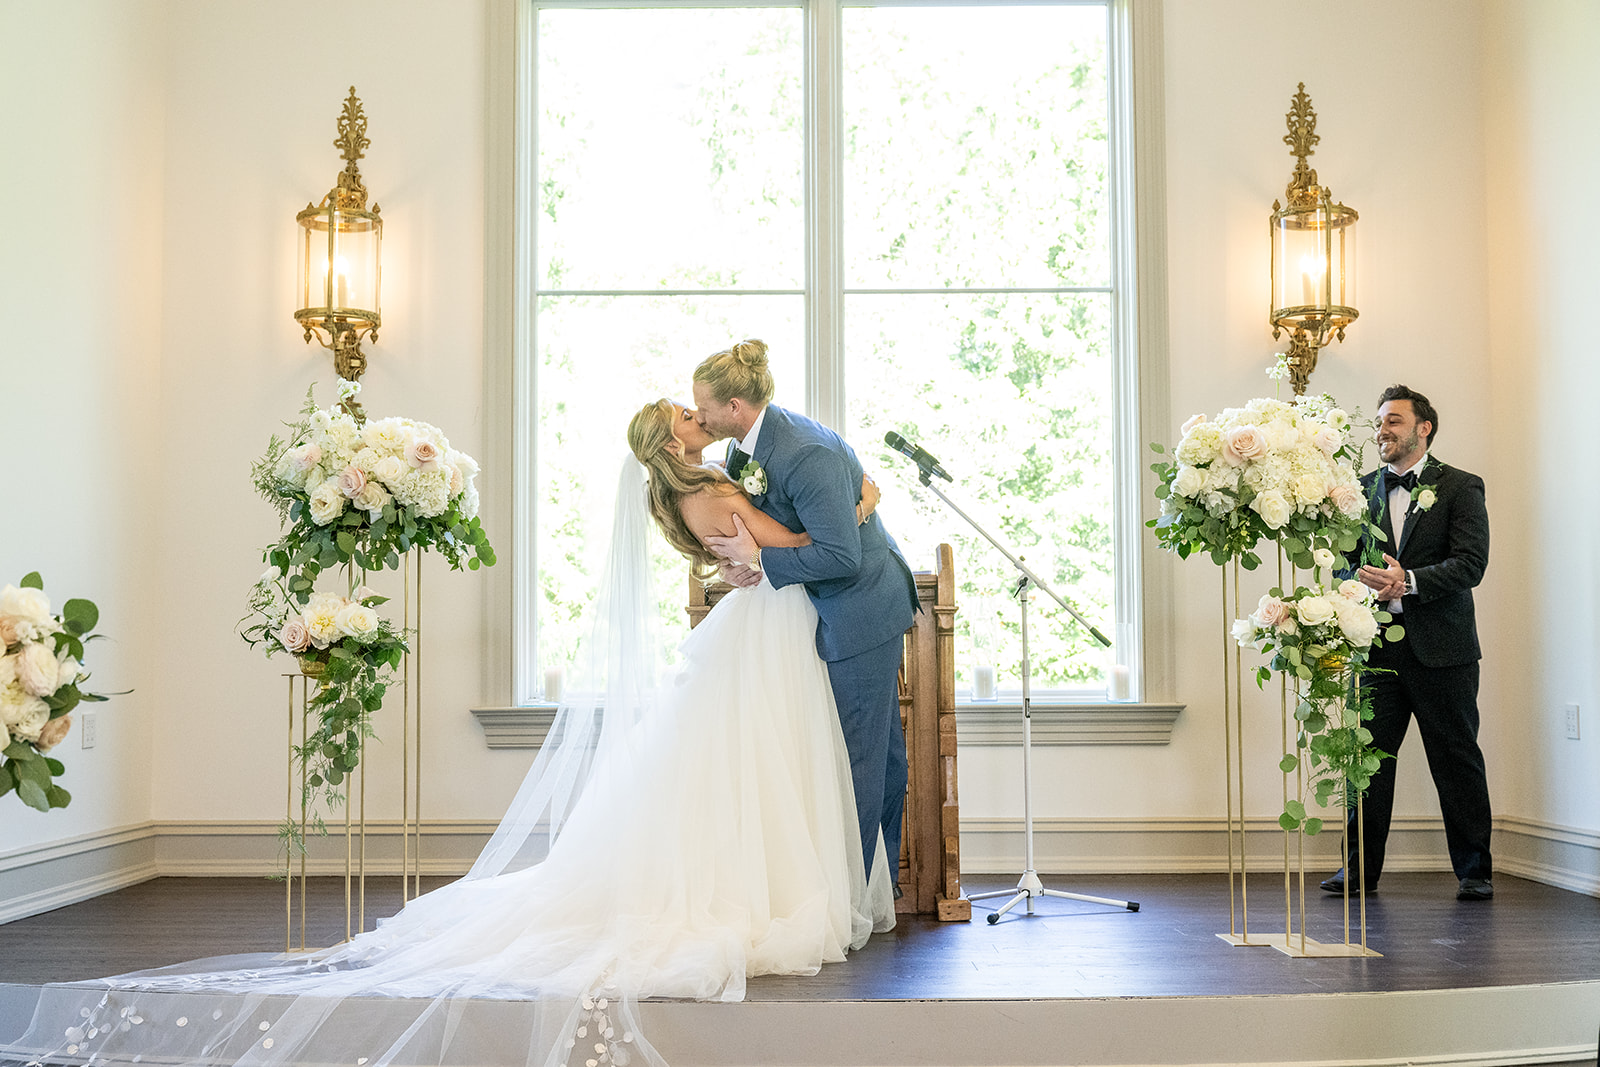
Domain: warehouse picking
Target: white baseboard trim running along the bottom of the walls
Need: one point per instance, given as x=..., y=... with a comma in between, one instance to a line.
x=46, y=877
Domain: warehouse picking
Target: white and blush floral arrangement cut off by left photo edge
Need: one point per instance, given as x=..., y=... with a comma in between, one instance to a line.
x=41, y=671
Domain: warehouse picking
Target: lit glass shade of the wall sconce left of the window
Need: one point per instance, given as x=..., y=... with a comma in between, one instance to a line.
x=338, y=266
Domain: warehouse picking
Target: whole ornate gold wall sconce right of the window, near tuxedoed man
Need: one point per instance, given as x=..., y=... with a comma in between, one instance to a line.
x=1313, y=255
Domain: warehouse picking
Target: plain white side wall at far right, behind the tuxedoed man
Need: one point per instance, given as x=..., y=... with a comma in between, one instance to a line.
x=1545, y=279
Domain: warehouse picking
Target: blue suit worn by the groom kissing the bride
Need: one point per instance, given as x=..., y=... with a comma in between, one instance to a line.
x=865, y=601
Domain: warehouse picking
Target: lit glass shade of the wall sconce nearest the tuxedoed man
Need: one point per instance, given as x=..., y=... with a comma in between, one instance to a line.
x=1314, y=268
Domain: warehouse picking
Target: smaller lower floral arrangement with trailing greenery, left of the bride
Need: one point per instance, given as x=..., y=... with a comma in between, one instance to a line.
x=348, y=649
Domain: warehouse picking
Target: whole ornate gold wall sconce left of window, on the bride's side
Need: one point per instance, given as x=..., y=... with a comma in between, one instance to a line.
x=340, y=249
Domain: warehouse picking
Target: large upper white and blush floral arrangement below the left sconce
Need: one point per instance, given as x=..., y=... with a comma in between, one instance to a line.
x=367, y=492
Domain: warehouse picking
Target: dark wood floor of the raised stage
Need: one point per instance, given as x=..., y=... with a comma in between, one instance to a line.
x=1530, y=933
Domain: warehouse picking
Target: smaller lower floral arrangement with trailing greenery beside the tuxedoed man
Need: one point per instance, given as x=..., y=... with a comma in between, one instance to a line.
x=1321, y=639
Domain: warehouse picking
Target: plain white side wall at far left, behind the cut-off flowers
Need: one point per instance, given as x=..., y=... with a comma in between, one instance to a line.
x=81, y=372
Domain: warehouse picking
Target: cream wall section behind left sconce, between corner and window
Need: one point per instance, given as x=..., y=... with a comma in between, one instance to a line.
x=252, y=108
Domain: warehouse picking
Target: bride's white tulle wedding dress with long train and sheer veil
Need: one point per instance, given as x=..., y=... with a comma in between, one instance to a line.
x=679, y=833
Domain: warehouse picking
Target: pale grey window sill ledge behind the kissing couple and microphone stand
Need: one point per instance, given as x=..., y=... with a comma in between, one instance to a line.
x=999, y=724
